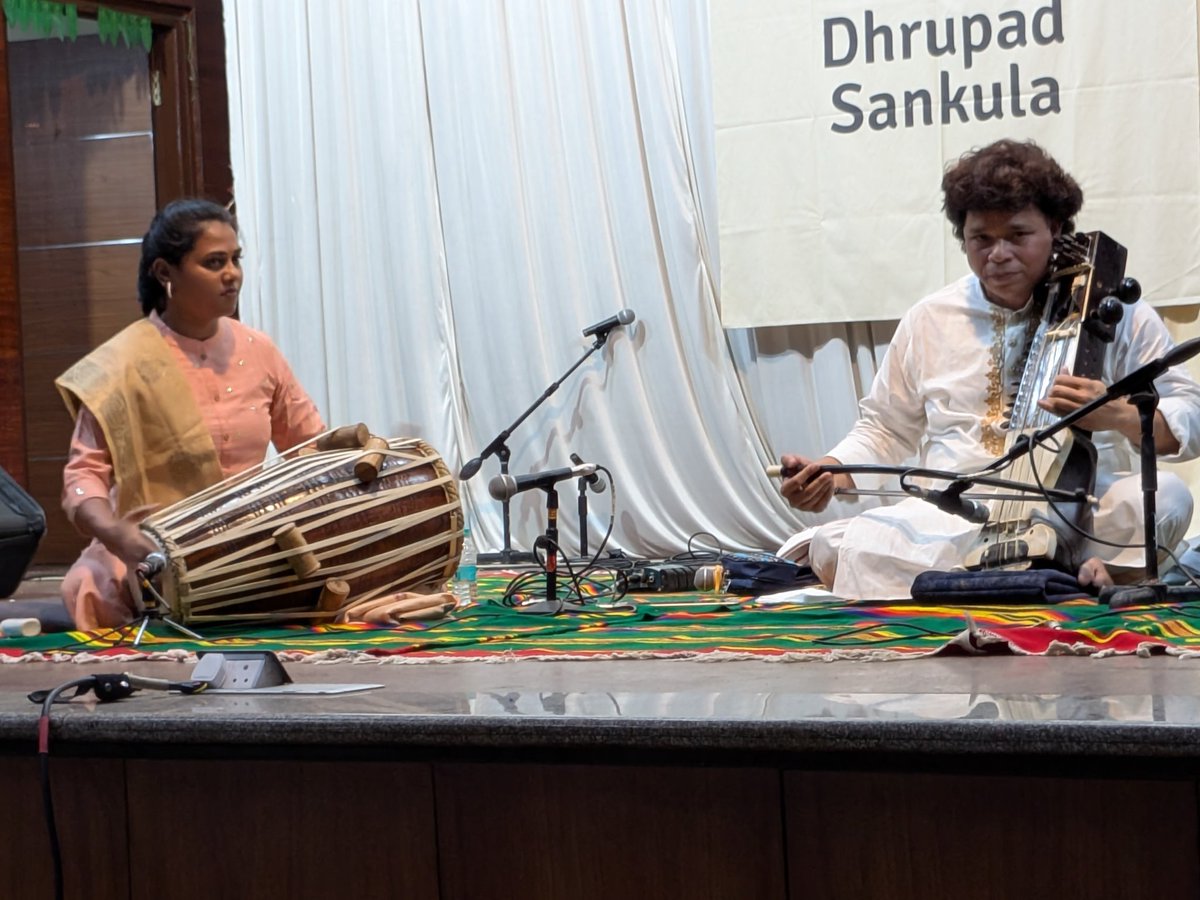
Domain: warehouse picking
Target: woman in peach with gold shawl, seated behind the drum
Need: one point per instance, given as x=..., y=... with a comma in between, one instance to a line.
x=172, y=405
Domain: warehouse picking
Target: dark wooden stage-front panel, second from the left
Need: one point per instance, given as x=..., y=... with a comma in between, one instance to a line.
x=281, y=830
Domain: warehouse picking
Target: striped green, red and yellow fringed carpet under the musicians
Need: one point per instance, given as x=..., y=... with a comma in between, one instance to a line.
x=668, y=627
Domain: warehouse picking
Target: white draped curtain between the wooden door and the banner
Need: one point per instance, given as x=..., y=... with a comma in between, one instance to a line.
x=436, y=197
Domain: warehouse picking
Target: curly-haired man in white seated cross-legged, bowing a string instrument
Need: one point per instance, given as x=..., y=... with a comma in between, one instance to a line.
x=944, y=389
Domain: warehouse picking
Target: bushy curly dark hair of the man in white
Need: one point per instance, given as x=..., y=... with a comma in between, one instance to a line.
x=1007, y=177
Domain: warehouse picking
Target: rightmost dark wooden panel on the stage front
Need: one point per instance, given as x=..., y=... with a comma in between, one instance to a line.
x=862, y=836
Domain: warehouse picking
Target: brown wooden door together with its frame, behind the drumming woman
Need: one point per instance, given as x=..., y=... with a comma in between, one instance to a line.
x=100, y=136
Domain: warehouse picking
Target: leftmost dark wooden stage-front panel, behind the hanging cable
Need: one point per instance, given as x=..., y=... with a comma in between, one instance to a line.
x=89, y=807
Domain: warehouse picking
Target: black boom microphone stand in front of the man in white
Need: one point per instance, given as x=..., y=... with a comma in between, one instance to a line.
x=1139, y=388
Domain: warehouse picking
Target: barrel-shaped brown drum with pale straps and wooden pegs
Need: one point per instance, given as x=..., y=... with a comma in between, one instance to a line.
x=271, y=542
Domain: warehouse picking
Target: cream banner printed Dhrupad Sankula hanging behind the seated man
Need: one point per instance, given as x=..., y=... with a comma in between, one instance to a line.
x=836, y=122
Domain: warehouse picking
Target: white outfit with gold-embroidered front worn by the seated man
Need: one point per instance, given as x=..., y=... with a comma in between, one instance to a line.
x=940, y=399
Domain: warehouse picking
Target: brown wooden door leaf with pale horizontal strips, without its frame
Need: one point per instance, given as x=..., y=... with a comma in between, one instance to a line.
x=83, y=159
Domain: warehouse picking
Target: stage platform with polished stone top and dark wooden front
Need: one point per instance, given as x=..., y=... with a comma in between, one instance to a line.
x=997, y=777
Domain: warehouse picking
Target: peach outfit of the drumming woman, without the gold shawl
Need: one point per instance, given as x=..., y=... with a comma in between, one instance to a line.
x=249, y=399
